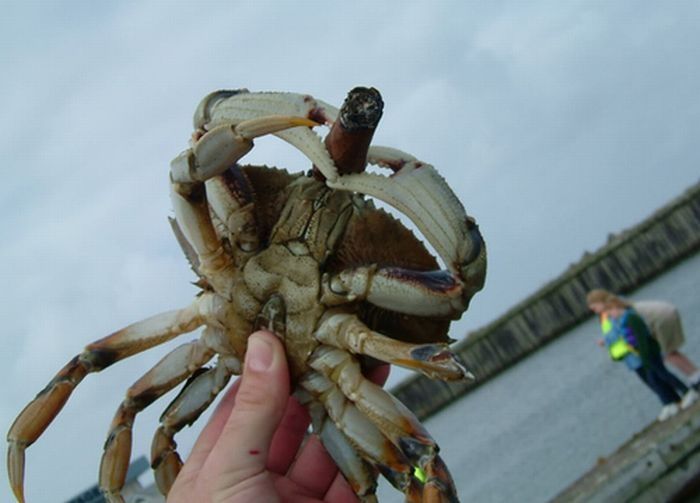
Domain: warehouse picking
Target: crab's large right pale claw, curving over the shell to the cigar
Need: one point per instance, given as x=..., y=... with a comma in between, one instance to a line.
x=418, y=191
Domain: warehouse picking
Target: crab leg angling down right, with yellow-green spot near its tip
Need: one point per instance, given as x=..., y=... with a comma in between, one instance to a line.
x=392, y=418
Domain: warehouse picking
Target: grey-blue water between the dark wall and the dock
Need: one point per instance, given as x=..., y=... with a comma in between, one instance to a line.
x=534, y=429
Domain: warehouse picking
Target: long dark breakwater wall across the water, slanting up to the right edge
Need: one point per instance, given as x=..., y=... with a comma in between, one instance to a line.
x=625, y=262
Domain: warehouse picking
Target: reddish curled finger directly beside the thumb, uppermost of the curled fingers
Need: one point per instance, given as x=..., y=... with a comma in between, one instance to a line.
x=288, y=437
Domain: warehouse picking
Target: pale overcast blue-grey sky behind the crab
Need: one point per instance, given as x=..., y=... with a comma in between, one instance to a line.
x=555, y=122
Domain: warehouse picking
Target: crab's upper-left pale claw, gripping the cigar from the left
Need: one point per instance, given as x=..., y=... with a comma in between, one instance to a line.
x=233, y=107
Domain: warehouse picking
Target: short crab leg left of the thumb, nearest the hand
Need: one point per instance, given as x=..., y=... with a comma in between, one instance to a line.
x=199, y=392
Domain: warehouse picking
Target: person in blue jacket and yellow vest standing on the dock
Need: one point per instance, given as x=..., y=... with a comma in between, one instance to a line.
x=628, y=339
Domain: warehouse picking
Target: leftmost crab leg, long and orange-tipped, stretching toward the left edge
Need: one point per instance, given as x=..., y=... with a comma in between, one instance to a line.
x=140, y=336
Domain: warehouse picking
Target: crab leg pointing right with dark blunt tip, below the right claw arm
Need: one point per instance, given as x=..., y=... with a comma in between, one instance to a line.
x=346, y=331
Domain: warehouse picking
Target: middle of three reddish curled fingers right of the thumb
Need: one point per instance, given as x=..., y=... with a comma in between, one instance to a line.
x=314, y=469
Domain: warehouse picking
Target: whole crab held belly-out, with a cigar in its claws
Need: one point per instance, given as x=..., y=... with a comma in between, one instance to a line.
x=309, y=257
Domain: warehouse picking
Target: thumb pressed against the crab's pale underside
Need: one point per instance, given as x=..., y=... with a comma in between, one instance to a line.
x=242, y=449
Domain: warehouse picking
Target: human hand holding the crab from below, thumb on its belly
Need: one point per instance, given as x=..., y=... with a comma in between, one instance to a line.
x=250, y=449
